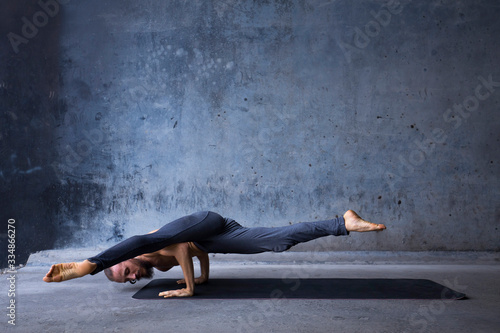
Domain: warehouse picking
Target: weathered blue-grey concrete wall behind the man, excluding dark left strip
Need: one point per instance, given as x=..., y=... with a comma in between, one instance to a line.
x=274, y=112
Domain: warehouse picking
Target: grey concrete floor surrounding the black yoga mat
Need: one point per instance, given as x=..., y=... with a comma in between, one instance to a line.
x=92, y=304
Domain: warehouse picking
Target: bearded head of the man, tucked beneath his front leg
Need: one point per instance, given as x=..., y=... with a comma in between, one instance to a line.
x=129, y=270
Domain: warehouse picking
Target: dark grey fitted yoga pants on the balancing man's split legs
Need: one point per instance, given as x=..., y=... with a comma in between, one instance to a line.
x=213, y=233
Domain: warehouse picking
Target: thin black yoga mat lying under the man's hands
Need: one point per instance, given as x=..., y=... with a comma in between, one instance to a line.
x=307, y=289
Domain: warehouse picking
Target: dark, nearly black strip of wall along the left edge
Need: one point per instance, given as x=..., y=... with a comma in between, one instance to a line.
x=28, y=112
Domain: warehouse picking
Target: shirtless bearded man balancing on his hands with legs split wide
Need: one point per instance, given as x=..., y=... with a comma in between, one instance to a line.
x=197, y=235
